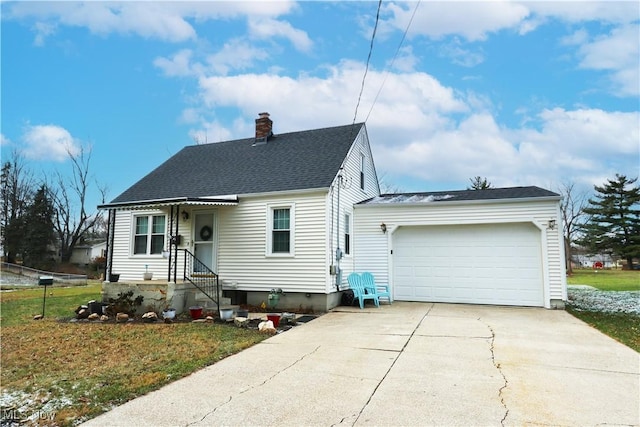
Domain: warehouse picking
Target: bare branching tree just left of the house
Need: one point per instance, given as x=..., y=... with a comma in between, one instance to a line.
x=72, y=219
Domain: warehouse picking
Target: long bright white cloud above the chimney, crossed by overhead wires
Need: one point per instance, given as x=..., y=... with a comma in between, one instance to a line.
x=309, y=101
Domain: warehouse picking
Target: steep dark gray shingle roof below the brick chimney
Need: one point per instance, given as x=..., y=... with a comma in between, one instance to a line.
x=290, y=161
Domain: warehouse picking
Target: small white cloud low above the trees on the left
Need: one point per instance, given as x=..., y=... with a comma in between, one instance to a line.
x=49, y=142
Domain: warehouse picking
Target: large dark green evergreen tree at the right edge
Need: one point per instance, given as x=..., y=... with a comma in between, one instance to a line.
x=614, y=225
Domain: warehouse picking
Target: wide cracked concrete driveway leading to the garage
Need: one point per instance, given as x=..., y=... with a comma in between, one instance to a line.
x=409, y=364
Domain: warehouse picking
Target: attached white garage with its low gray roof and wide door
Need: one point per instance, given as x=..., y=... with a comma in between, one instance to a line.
x=501, y=246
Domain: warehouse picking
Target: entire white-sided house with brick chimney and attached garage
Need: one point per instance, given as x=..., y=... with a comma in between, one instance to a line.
x=299, y=211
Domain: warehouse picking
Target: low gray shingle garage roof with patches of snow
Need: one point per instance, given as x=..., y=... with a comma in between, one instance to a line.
x=463, y=196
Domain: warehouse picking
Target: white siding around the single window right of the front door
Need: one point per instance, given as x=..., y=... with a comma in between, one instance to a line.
x=244, y=233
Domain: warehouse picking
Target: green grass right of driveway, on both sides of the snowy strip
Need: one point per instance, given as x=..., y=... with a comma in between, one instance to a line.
x=620, y=326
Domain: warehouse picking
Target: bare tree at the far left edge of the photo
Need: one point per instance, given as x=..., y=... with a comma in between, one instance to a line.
x=16, y=192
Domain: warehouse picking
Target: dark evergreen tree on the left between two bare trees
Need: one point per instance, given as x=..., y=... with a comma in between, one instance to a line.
x=39, y=236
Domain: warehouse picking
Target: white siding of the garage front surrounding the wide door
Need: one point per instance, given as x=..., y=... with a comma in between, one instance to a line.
x=373, y=247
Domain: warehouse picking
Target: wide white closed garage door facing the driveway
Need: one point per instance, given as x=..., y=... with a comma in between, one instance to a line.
x=479, y=264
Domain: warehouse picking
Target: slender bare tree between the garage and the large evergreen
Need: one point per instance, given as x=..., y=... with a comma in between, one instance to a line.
x=573, y=217
